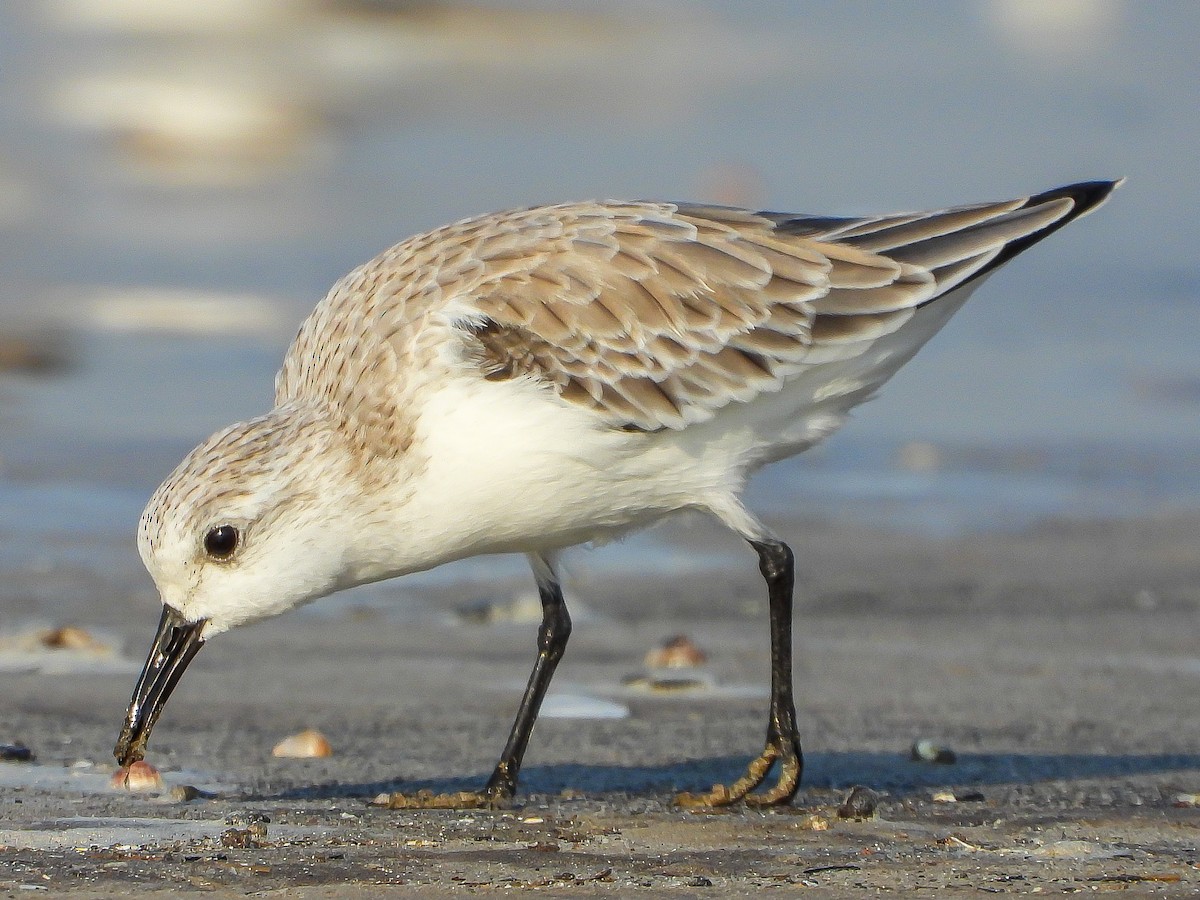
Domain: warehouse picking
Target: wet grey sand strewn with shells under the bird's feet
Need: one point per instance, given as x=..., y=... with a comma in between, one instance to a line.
x=1059, y=664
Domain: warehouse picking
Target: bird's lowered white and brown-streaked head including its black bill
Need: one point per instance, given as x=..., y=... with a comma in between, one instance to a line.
x=254, y=523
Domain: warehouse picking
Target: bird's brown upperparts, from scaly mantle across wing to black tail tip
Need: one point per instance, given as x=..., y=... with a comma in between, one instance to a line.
x=652, y=315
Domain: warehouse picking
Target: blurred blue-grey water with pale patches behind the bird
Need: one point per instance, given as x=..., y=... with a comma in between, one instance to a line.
x=182, y=182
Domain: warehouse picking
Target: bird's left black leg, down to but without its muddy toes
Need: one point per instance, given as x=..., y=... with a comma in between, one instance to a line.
x=553, y=635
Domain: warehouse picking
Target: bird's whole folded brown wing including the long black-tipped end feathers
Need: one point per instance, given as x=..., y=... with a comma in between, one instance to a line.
x=657, y=316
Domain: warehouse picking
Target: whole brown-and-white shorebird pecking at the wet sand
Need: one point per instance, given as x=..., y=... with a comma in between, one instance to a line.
x=529, y=381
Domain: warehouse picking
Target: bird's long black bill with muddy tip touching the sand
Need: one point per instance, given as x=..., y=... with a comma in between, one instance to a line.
x=175, y=645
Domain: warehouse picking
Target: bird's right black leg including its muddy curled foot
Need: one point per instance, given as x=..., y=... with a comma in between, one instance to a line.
x=776, y=563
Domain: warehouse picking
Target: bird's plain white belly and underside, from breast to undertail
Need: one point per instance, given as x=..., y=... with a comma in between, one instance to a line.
x=509, y=467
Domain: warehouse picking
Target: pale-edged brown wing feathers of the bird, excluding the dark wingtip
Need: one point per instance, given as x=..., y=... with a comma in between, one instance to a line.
x=661, y=315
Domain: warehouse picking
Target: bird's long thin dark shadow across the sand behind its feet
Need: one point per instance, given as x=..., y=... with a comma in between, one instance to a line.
x=890, y=772
